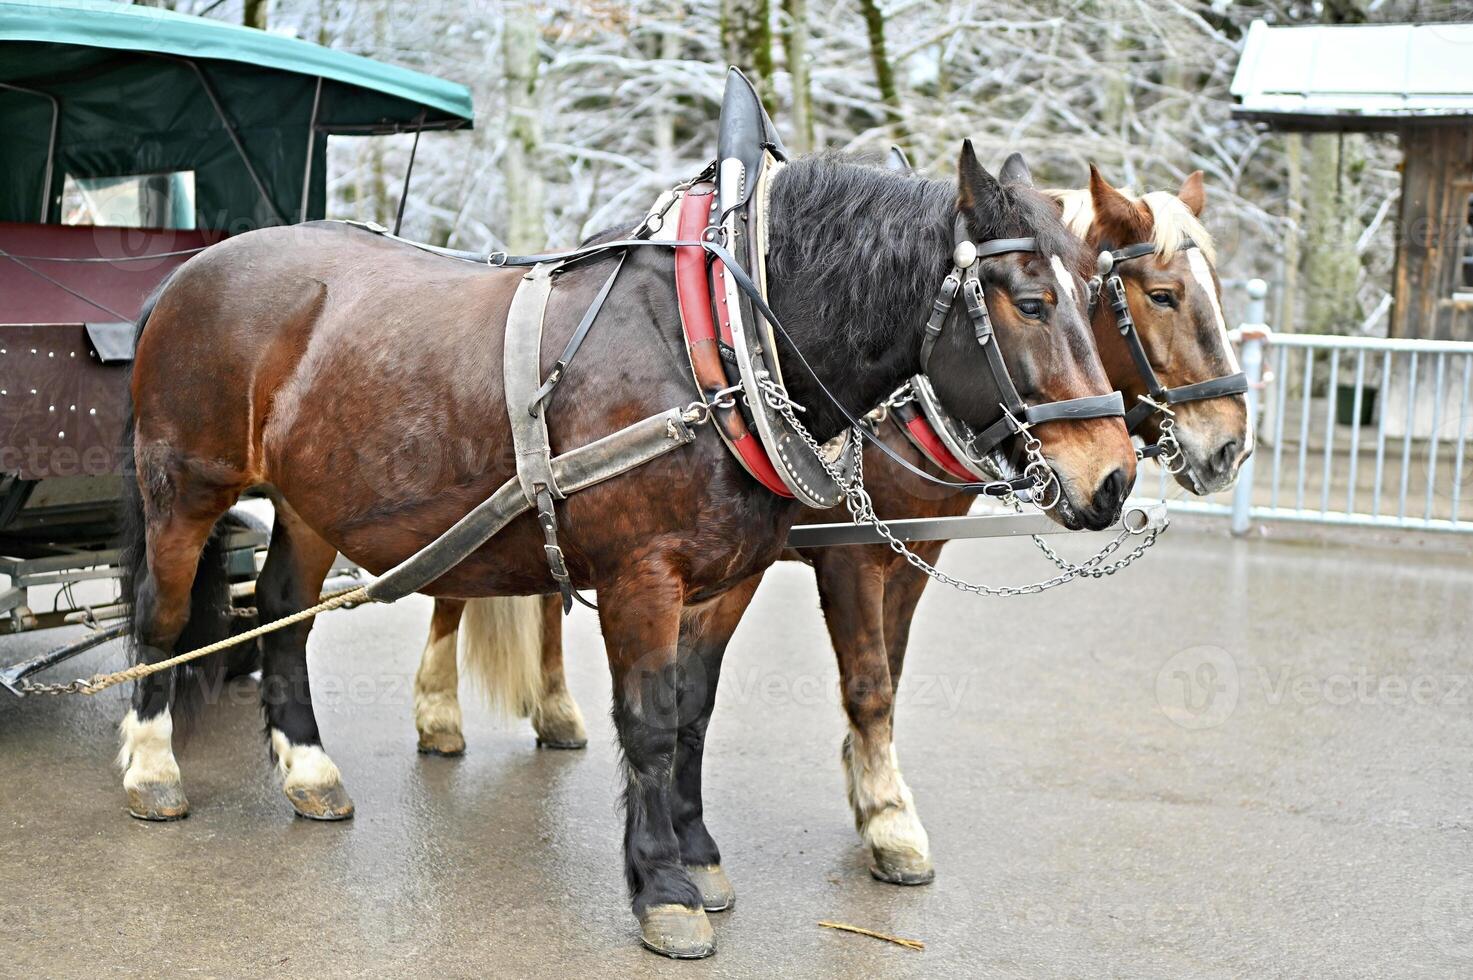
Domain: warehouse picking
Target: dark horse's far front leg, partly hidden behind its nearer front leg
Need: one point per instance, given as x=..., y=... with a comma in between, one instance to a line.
x=703, y=645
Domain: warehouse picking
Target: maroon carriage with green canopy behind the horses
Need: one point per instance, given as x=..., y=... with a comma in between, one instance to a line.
x=135, y=138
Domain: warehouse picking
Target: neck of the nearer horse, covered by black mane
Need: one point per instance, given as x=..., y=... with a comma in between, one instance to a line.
x=852, y=291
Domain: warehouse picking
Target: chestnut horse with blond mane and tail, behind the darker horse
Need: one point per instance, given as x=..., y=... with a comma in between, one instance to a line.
x=870, y=593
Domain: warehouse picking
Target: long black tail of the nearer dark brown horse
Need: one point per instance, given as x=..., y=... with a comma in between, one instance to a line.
x=210, y=615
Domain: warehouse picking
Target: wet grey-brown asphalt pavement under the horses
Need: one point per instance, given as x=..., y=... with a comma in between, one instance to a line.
x=1237, y=760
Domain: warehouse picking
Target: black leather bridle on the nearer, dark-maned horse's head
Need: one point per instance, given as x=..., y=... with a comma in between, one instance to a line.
x=1017, y=416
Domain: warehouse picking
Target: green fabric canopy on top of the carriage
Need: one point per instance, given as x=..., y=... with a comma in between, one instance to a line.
x=98, y=91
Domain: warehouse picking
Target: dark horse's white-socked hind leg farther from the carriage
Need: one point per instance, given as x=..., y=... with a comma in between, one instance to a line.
x=292, y=581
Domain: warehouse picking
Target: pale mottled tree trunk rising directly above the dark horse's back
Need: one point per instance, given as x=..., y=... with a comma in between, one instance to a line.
x=519, y=164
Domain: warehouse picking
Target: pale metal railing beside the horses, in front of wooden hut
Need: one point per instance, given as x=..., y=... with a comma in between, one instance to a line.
x=1351, y=431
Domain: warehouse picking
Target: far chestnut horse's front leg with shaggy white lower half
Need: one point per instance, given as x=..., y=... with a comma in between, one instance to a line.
x=852, y=587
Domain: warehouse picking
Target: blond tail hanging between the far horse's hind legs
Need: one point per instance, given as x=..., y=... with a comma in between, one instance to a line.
x=502, y=649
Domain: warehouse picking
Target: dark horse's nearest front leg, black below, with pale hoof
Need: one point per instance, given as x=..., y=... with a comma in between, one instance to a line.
x=641, y=614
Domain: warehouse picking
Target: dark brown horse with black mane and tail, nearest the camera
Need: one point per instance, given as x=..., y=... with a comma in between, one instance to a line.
x=360, y=381
